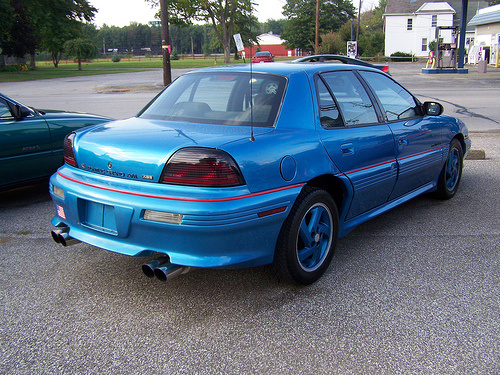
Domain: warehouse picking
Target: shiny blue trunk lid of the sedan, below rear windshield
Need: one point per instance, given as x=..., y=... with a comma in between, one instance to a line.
x=138, y=149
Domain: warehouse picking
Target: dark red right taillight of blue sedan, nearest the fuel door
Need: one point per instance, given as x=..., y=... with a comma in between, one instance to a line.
x=197, y=166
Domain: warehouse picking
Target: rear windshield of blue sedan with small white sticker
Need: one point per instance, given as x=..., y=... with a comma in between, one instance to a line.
x=220, y=98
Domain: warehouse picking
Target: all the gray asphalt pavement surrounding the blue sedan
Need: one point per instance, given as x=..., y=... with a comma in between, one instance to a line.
x=415, y=290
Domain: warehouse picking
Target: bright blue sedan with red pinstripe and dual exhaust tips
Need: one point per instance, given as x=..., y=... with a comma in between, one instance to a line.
x=236, y=166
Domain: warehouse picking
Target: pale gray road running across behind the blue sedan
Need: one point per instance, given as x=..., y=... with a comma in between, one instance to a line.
x=473, y=97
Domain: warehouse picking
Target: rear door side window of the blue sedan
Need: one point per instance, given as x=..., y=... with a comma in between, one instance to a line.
x=355, y=104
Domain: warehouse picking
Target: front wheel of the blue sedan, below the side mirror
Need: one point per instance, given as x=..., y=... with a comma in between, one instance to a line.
x=451, y=174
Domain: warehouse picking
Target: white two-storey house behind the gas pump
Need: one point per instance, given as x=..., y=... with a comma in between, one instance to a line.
x=411, y=25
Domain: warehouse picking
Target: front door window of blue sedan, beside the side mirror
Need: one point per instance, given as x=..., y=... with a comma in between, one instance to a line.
x=397, y=103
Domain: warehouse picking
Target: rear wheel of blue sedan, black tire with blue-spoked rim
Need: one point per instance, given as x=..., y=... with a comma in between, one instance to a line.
x=302, y=256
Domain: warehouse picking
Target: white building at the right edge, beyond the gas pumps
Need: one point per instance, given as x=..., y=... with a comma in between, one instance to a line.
x=486, y=35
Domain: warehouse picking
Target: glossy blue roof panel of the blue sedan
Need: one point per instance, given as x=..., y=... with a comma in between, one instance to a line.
x=285, y=68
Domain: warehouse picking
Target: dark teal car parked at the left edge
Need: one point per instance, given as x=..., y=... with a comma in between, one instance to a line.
x=31, y=141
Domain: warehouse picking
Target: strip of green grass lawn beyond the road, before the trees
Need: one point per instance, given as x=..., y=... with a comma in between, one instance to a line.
x=68, y=68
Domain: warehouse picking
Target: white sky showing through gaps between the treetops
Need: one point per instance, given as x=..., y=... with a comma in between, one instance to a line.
x=122, y=12
